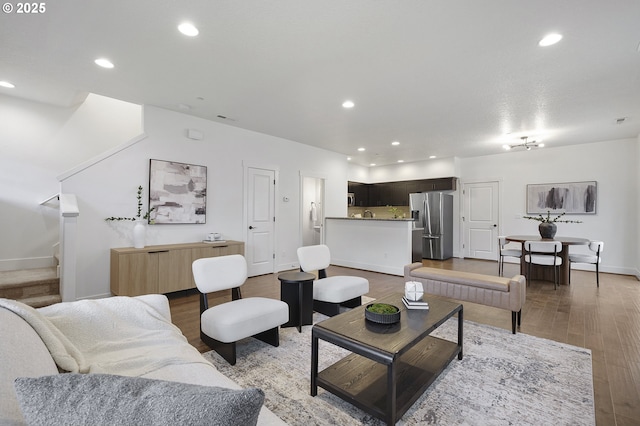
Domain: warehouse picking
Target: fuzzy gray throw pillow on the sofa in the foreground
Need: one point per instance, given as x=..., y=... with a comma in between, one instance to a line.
x=105, y=399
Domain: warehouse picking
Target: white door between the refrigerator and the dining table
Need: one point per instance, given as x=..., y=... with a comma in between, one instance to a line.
x=480, y=221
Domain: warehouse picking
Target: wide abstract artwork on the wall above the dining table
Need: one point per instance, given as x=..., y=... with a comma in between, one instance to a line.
x=571, y=197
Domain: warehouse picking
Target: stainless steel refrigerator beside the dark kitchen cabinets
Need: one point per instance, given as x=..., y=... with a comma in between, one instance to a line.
x=433, y=211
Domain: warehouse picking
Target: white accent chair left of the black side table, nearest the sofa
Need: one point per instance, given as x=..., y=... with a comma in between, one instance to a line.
x=221, y=326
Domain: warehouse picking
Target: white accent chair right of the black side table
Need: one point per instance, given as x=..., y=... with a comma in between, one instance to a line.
x=329, y=293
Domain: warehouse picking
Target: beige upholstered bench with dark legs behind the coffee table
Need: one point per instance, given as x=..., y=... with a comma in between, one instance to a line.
x=499, y=292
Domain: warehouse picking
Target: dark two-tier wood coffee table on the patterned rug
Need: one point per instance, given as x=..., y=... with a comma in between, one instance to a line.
x=391, y=365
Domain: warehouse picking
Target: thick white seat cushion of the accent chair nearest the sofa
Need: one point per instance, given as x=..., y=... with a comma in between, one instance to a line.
x=238, y=319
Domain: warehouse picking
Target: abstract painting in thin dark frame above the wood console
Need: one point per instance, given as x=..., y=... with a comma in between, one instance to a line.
x=177, y=192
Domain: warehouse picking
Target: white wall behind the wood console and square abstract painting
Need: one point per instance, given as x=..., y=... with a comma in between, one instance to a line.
x=109, y=188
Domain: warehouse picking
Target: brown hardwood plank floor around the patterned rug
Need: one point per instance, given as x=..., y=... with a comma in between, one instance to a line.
x=605, y=320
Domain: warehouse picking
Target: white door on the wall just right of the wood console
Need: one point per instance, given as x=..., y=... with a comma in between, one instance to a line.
x=260, y=246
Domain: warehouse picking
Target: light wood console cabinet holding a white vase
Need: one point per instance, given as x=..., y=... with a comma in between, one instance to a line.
x=162, y=268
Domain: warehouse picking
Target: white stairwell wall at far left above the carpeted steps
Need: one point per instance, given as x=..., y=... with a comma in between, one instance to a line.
x=38, y=142
